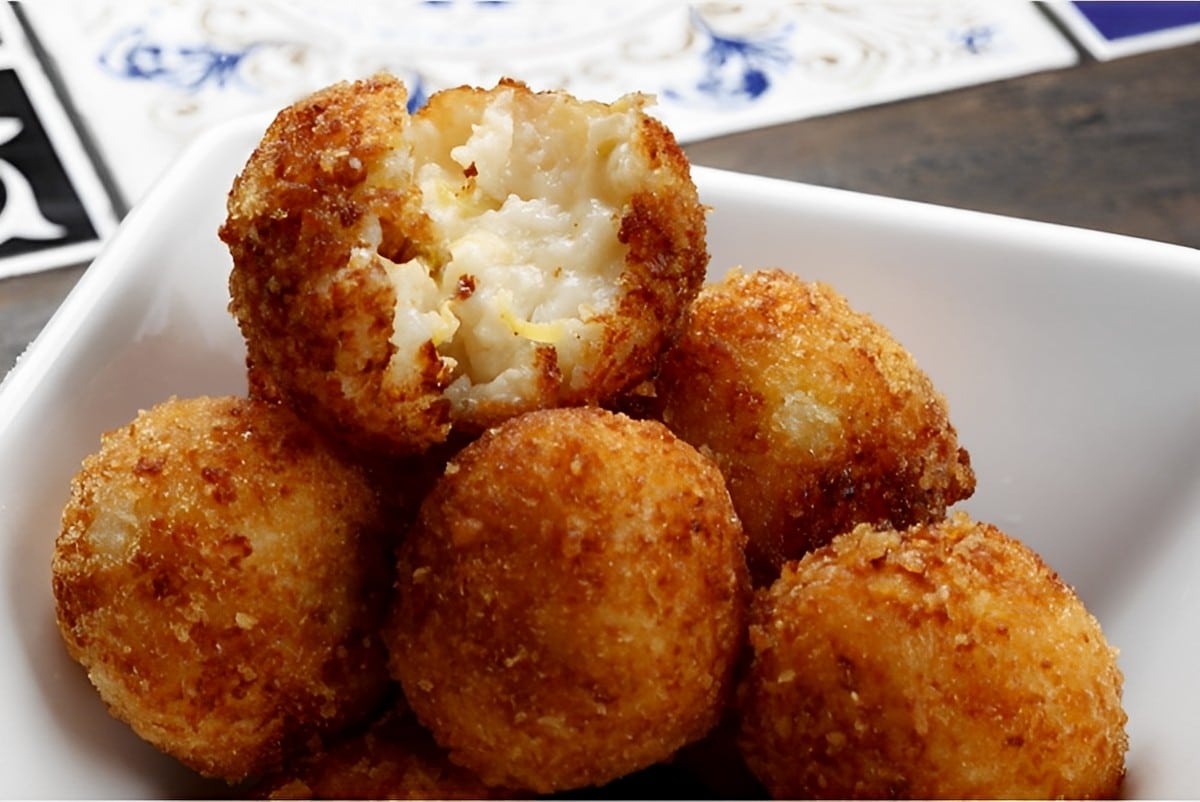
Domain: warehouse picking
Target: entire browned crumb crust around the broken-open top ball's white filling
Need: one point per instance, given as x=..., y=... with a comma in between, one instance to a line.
x=311, y=290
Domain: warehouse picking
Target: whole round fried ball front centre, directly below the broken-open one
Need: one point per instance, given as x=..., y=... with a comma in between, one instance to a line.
x=572, y=602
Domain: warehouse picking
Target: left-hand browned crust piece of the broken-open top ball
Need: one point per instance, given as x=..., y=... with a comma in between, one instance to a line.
x=315, y=324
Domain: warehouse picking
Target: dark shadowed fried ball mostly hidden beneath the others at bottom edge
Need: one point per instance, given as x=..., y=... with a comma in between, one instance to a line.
x=394, y=759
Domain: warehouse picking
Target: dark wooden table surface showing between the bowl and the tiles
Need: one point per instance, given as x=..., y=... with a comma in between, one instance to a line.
x=1107, y=146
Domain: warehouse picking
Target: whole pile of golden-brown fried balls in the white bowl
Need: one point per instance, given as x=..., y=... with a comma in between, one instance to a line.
x=518, y=505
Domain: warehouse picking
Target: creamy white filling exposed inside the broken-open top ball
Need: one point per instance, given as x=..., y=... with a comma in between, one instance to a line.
x=529, y=196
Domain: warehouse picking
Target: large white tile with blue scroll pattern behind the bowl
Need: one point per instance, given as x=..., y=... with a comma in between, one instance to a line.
x=148, y=75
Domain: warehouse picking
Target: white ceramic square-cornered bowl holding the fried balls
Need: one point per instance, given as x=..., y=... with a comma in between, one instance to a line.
x=1070, y=360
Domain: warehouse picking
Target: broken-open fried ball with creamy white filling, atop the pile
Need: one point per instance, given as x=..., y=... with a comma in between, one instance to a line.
x=401, y=276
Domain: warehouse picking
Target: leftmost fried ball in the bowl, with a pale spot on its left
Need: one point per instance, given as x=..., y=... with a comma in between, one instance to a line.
x=223, y=578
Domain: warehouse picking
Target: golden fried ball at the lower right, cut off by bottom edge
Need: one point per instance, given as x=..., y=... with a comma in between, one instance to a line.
x=941, y=662
